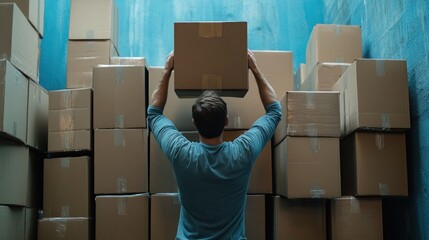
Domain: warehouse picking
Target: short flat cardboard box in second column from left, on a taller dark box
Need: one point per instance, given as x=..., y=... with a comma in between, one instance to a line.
x=68, y=141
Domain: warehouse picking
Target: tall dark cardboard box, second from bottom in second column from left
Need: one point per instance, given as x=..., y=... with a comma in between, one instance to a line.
x=68, y=187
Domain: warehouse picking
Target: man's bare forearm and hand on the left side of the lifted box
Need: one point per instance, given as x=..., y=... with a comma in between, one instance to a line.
x=159, y=95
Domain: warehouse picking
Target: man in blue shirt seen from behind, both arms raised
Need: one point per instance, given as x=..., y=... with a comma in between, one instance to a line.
x=212, y=175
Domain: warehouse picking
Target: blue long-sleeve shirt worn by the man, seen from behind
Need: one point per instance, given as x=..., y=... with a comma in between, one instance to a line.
x=212, y=179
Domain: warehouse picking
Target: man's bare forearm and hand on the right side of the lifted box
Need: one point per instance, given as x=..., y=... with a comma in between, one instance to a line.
x=266, y=91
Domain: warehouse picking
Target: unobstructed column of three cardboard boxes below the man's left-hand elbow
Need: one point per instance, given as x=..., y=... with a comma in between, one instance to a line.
x=121, y=151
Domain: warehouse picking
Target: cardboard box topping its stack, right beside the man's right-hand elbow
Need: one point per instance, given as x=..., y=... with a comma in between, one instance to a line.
x=312, y=114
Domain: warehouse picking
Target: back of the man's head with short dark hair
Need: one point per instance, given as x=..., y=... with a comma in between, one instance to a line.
x=209, y=113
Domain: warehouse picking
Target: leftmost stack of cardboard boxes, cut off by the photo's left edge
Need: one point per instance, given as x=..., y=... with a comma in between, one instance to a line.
x=23, y=118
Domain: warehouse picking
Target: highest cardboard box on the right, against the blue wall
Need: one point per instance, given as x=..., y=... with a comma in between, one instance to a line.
x=333, y=43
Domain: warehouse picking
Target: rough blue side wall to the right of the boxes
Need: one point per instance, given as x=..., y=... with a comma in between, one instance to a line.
x=399, y=29
